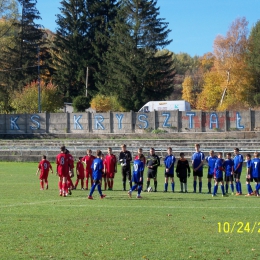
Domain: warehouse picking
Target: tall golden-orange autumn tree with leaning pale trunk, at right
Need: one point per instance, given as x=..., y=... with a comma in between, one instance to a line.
x=230, y=61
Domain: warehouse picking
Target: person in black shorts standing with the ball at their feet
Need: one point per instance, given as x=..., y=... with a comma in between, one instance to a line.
x=152, y=162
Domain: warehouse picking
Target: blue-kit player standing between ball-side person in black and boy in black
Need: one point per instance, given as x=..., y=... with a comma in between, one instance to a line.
x=169, y=169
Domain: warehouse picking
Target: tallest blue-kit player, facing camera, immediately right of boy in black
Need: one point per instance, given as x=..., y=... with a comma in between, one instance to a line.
x=197, y=165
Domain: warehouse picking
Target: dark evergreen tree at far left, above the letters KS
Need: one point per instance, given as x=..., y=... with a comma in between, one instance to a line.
x=21, y=58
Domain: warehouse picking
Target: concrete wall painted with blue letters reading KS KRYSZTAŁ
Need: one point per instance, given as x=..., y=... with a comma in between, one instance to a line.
x=130, y=122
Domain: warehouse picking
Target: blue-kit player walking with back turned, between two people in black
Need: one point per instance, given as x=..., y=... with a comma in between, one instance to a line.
x=137, y=178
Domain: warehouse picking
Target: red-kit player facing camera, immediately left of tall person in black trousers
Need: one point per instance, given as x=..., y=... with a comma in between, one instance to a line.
x=110, y=168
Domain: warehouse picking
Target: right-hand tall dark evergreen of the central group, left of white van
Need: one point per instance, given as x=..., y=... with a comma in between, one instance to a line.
x=135, y=71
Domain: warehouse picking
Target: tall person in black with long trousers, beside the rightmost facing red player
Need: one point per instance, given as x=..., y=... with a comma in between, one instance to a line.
x=125, y=158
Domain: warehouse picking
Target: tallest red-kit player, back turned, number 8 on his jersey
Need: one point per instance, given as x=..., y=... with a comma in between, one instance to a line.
x=64, y=164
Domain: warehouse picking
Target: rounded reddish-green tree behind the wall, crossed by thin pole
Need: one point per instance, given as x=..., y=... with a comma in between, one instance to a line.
x=26, y=101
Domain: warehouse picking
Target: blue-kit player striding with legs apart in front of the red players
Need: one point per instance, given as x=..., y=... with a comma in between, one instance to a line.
x=97, y=167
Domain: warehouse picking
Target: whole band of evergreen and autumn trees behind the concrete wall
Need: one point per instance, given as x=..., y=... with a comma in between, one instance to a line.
x=118, y=50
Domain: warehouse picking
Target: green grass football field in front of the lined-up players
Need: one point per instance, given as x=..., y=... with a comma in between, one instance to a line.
x=41, y=225
